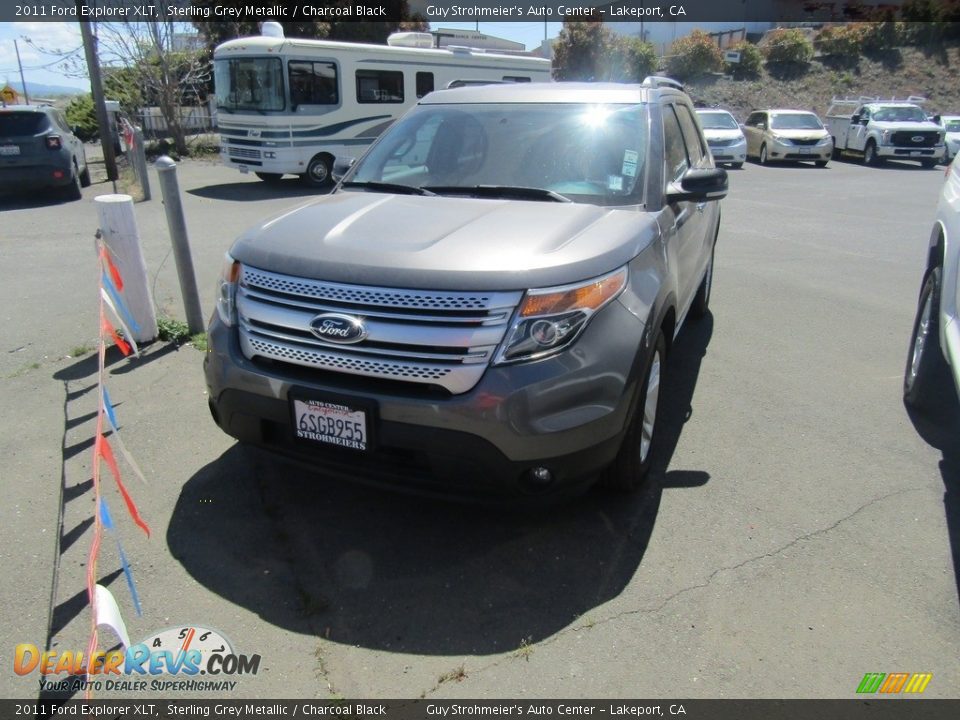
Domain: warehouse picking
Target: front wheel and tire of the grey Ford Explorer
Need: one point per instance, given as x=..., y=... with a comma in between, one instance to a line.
x=632, y=463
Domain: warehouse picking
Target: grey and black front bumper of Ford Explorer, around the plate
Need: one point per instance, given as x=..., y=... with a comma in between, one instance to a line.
x=566, y=414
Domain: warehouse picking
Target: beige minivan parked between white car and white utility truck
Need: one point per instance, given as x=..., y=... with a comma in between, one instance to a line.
x=779, y=135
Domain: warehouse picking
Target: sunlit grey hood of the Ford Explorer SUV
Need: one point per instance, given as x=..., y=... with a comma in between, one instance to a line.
x=445, y=243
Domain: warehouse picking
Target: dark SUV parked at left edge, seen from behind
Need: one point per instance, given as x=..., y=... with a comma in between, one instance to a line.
x=39, y=150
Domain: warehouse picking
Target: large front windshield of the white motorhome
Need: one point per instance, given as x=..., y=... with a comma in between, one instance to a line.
x=249, y=84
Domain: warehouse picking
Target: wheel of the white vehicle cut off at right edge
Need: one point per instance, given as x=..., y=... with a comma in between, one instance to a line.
x=926, y=378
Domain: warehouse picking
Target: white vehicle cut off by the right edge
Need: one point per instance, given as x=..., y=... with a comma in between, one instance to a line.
x=935, y=345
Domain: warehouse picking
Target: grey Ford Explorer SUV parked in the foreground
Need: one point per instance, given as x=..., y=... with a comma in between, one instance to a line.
x=486, y=302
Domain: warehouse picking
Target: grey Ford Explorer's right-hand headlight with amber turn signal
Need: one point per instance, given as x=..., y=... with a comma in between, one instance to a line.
x=550, y=319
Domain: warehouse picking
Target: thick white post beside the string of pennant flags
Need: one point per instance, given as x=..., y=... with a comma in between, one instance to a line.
x=119, y=231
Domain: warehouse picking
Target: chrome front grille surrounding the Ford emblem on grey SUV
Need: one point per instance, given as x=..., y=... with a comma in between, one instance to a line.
x=442, y=338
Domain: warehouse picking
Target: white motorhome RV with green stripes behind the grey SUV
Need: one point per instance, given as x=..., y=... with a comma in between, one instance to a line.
x=292, y=106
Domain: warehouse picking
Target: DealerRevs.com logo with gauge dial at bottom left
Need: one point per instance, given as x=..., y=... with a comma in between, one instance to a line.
x=184, y=653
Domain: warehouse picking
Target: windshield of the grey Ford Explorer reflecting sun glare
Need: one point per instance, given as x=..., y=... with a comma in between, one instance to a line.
x=585, y=153
